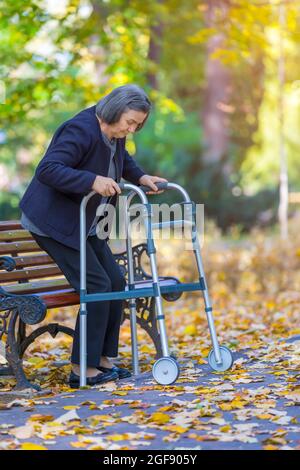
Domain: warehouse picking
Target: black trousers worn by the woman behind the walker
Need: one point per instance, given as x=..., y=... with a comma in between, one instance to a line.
x=103, y=275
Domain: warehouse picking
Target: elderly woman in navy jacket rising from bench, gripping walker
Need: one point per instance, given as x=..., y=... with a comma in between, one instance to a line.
x=86, y=153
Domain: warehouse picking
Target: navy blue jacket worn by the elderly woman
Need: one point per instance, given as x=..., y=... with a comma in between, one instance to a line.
x=66, y=173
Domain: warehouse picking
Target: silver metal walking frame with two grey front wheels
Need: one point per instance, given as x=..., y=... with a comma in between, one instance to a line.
x=165, y=370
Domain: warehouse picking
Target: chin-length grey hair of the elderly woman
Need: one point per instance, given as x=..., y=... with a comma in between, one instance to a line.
x=121, y=99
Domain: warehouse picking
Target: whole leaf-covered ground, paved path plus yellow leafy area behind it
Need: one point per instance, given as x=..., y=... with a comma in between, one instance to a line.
x=255, y=405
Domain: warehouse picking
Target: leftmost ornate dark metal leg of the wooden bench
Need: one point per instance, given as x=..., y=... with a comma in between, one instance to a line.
x=13, y=357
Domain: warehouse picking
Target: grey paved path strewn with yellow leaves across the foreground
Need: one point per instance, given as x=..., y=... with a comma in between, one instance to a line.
x=254, y=406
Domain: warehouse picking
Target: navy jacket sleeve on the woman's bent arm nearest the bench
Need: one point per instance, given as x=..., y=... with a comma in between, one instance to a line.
x=58, y=166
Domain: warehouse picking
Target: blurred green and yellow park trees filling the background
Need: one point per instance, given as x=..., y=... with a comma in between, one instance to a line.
x=210, y=68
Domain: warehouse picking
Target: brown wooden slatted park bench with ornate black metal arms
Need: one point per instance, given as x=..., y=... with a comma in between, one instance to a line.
x=31, y=284
